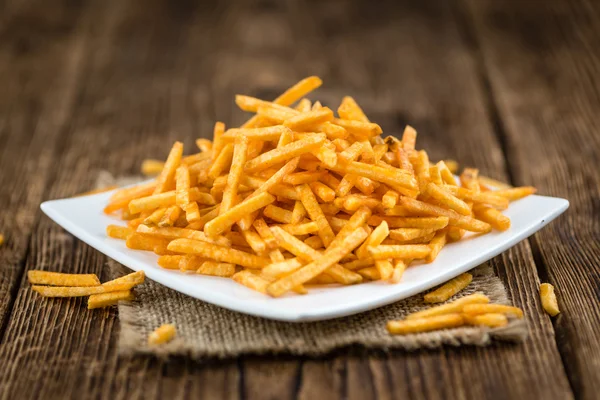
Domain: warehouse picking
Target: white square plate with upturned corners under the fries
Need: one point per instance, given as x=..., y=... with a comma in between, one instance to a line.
x=83, y=217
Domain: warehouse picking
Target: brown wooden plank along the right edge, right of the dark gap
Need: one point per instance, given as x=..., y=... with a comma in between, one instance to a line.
x=543, y=61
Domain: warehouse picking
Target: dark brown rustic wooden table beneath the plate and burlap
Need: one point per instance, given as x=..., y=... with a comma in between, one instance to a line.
x=511, y=87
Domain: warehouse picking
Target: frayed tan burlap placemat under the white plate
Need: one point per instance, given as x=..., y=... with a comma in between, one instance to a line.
x=208, y=331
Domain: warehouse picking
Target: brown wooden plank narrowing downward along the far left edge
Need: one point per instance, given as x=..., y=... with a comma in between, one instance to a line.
x=40, y=65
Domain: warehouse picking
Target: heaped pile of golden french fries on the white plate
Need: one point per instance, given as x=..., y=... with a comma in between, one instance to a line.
x=299, y=196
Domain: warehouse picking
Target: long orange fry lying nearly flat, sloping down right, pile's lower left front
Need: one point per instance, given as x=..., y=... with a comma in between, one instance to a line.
x=217, y=253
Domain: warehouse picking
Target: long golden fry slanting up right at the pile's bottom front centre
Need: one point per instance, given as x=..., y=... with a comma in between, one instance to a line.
x=309, y=271
